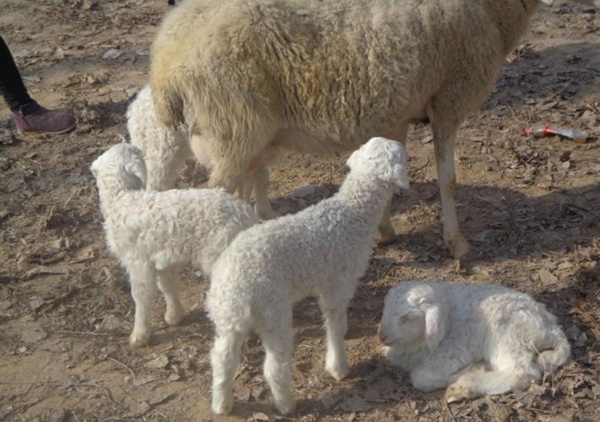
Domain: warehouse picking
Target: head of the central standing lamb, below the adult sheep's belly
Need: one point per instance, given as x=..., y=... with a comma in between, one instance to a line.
x=383, y=157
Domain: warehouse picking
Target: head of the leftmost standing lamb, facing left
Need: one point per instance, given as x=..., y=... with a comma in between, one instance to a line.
x=124, y=162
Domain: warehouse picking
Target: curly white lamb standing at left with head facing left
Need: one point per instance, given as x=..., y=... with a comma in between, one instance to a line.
x=156, y=234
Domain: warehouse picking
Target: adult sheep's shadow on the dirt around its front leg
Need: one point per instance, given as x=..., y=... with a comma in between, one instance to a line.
x=500, y=223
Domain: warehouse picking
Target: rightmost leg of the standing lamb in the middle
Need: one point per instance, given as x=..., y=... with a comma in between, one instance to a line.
x=336, y=325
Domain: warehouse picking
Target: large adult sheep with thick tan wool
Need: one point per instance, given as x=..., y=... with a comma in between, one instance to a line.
x=321, y=76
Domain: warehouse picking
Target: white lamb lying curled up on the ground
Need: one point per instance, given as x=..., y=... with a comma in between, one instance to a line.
x=473, y=339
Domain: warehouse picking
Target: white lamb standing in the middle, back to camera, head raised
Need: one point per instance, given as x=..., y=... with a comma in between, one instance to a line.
x=319, y=252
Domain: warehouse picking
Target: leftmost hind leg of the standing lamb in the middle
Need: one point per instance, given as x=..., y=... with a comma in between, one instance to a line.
x=224, y=358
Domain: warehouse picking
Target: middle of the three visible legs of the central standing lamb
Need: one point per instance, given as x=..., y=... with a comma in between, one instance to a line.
x=278, y=340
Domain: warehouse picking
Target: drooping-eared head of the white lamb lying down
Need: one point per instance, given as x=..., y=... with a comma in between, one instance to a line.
x=413, y=313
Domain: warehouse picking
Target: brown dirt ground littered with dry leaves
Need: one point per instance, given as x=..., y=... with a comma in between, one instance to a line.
x=529, y=207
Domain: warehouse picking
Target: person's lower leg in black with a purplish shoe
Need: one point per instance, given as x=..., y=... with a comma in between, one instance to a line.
x=27, y=114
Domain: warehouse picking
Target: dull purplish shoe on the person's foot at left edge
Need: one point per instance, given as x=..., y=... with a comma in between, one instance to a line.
x=32, y=117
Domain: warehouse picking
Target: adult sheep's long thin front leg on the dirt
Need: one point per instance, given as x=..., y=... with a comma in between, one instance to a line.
x=444, y=135
